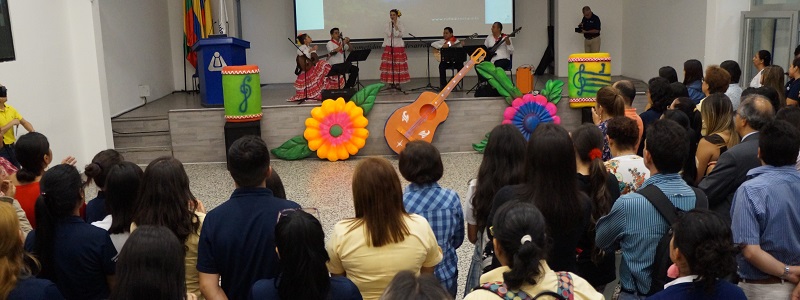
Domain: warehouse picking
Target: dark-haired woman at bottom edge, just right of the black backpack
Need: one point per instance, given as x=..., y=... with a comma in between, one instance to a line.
x=703, y=251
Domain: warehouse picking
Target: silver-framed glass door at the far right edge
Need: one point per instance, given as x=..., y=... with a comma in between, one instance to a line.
x=774, y=31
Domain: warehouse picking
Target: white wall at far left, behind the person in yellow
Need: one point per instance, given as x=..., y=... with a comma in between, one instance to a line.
x=55, y=82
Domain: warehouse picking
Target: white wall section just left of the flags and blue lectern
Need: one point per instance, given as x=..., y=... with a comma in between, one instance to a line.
x=136, y=45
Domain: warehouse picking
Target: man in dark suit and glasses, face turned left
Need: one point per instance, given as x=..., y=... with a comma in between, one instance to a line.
x=732, y=166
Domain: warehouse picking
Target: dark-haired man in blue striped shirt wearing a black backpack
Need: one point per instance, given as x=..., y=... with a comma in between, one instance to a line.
x=634, y=225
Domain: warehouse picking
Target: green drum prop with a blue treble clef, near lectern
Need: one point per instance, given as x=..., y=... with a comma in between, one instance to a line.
x=241, y=88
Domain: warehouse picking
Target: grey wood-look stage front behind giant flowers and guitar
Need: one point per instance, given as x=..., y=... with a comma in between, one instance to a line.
x=178, y=125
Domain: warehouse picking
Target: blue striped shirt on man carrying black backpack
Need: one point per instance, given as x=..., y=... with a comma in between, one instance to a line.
x=635, y=226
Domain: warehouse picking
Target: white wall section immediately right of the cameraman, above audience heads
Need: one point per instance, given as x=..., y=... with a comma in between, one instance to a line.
x=661, y=33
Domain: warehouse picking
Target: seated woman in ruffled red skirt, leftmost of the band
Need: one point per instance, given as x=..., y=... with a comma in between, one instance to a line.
x=311, y=78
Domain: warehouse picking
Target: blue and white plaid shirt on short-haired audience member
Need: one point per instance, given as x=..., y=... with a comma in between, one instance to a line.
x=442, y=208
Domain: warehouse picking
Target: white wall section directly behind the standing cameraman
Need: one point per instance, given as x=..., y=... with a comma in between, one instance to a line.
x=569, y=15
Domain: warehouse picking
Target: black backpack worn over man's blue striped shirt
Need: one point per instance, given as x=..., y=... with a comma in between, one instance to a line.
x=670, y=213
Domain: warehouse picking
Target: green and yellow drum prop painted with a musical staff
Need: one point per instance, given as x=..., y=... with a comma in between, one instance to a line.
x=588, y=72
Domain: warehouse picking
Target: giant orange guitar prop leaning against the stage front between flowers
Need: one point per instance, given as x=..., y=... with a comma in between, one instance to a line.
x=419, y=120
